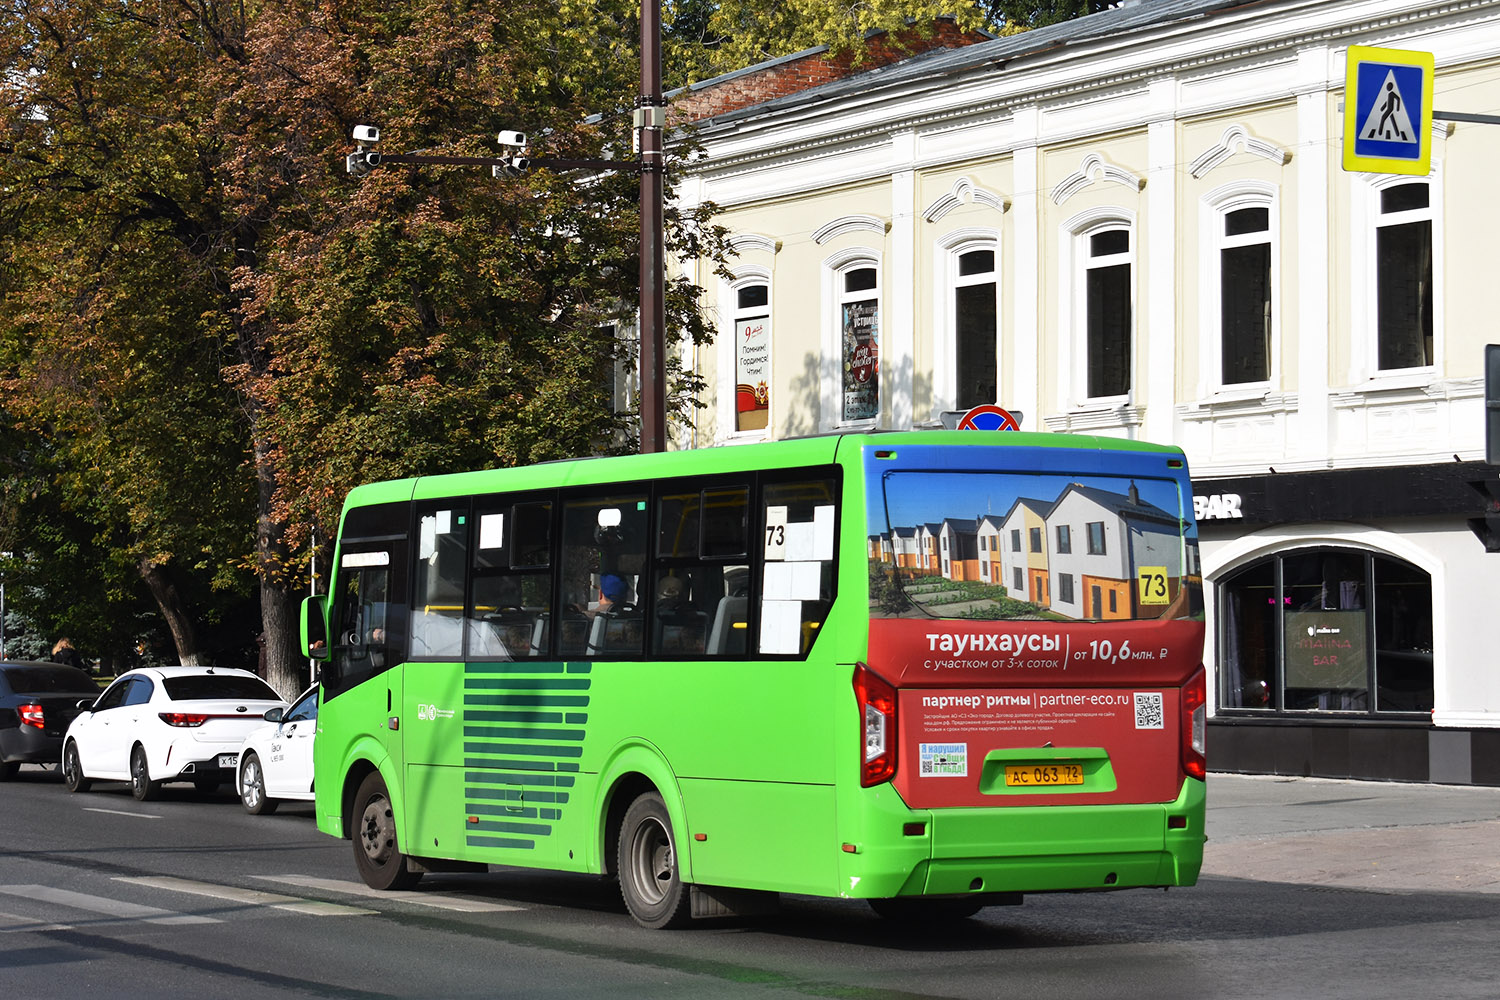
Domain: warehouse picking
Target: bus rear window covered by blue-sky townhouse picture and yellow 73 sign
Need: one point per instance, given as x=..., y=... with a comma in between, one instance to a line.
x=1031, y=546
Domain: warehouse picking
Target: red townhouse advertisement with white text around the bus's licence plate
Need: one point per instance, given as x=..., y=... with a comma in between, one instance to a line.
x=1036, y=713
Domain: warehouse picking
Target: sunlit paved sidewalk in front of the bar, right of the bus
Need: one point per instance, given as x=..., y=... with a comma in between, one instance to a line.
x=1354, y=834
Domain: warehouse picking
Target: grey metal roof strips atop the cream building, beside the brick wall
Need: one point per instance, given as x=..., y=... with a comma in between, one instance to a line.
x=1136, y=17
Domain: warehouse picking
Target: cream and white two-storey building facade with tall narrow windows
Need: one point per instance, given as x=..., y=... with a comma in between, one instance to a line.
x=1138, y=226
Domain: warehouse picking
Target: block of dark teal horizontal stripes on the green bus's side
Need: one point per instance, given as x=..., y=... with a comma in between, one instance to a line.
x=511, y=783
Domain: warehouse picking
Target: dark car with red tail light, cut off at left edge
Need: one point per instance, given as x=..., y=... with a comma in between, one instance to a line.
x=38, y=701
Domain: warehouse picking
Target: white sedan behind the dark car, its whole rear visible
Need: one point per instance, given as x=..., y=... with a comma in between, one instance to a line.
x=161, y=725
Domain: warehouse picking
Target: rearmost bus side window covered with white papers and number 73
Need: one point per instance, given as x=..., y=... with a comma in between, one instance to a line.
x=800, y=548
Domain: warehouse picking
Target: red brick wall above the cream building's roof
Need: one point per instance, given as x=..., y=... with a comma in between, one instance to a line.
x=811, y=71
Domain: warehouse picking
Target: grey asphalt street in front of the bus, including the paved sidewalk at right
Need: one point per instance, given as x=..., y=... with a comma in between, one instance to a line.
x=110, y=897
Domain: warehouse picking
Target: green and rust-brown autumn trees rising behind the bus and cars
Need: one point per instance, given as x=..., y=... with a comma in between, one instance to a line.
x=209, y=332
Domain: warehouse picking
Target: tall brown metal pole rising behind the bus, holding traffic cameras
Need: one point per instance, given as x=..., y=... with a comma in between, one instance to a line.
x=650, y=118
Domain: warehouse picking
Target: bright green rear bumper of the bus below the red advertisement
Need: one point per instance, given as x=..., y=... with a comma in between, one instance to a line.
x=1046, y=849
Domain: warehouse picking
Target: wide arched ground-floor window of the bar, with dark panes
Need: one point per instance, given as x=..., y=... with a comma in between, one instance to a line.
x=1327, y=630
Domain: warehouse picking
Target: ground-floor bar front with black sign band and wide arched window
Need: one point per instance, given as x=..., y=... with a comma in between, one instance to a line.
x=1324, y=647
